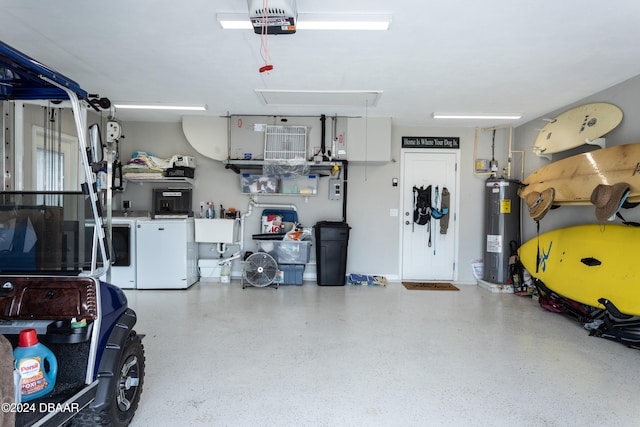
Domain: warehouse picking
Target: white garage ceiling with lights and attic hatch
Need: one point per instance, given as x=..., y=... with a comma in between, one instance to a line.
x=496, y=56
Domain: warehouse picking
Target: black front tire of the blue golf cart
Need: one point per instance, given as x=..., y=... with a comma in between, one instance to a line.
x=126, y=391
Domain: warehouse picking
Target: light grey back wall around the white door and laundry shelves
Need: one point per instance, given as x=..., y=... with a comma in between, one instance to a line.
x=375, y=240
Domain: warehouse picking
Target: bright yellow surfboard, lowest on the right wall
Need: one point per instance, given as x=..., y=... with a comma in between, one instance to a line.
x=588, y=262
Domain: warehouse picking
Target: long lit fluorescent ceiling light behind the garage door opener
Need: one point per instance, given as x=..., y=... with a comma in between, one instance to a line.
x=316, y=21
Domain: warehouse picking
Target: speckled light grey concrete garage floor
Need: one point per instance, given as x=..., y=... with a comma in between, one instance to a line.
x=218, y=355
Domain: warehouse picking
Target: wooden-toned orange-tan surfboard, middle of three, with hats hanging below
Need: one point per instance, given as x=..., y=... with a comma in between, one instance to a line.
x=575, y=177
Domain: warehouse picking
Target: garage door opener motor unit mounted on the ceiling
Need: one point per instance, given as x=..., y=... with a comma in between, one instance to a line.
x=273, y=17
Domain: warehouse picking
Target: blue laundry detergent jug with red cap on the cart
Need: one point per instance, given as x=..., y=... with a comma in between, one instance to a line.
x=36, y=364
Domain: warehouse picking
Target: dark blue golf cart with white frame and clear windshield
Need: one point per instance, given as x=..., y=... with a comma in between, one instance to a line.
x=54, y=255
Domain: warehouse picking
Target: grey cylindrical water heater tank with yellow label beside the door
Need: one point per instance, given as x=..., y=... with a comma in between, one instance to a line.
x=502, y=227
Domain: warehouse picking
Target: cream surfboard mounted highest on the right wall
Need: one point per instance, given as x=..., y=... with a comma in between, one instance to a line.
x=576, y=127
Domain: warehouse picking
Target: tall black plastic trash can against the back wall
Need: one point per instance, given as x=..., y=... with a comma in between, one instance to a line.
x=332, y=238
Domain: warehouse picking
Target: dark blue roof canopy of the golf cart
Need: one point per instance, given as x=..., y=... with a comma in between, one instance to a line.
x=24, y=78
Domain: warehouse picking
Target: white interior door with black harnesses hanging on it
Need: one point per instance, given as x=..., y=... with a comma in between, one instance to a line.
x=429, y=253
